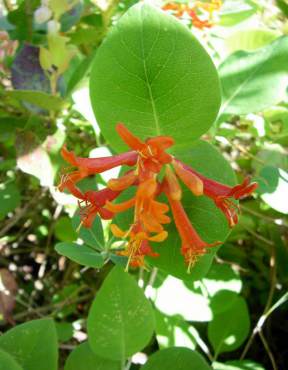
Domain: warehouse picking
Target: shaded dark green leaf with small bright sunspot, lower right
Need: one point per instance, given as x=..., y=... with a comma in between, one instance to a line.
x=228, y=330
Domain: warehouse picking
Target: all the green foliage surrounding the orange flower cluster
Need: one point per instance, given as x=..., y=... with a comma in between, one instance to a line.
x=155, y=72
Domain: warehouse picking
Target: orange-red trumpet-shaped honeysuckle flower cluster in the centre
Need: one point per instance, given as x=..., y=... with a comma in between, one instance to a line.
x=153, y=172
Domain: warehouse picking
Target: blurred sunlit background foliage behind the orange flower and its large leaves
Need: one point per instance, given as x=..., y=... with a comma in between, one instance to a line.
x=46, y=50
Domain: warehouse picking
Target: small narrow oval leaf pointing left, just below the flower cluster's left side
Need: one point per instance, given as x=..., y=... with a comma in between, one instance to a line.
x=82, y=254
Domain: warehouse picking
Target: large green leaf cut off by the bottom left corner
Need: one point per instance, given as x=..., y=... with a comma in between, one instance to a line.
x=33, y=343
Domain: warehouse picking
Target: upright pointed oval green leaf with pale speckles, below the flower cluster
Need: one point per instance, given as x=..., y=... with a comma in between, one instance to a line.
x=121, y=320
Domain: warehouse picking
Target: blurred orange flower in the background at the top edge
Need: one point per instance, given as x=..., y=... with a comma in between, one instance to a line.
x=200, y=13
